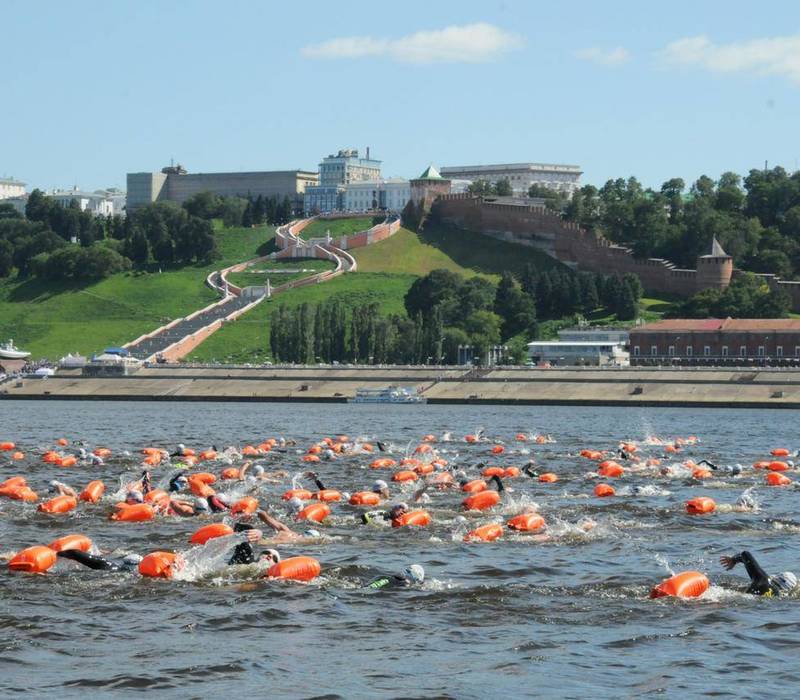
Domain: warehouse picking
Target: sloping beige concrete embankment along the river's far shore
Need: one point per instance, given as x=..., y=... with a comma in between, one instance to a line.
x=728, y=388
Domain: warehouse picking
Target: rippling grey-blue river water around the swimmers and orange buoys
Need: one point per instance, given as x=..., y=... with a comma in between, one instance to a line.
x=568, y=616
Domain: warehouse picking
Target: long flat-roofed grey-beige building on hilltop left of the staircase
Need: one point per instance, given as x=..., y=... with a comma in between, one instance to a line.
x=175, y=184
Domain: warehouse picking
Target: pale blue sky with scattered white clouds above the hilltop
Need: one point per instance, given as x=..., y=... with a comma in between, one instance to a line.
x=94, y=90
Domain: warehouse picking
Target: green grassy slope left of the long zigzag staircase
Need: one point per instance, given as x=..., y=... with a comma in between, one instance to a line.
x=50, y=320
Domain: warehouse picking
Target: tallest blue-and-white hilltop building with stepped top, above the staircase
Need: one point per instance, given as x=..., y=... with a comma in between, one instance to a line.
x=336, y=173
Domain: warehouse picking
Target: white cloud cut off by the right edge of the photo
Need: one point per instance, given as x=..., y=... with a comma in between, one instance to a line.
x=769, y=56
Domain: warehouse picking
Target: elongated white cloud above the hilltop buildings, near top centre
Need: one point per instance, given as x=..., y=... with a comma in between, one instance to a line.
x=469, y=43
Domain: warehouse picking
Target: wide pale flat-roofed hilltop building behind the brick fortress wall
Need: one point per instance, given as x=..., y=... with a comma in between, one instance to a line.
x=562, y=178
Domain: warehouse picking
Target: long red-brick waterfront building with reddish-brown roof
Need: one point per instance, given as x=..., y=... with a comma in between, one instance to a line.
x=730, y=341
